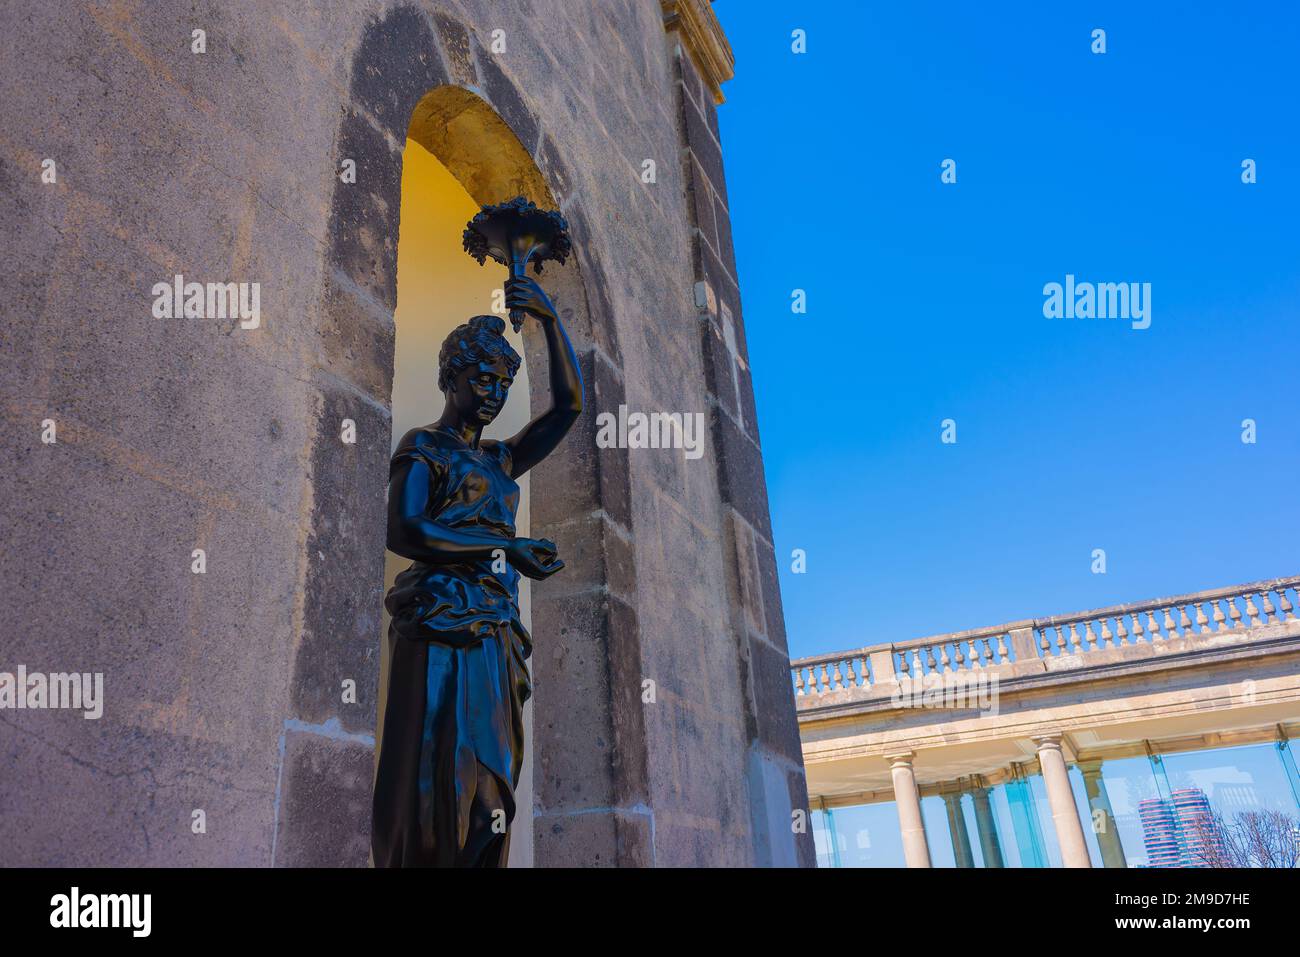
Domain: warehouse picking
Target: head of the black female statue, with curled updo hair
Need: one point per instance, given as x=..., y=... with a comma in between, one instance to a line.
x=476, y=369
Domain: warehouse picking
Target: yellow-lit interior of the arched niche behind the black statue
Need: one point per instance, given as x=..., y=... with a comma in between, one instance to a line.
x=460, y=155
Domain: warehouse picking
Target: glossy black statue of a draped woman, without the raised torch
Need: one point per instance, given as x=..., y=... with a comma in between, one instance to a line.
x=454, y=725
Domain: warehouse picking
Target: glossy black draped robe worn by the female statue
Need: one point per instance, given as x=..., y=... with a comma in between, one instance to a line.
x=458, y=679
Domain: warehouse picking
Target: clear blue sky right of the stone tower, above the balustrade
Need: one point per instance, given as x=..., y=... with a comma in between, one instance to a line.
x=926, y=304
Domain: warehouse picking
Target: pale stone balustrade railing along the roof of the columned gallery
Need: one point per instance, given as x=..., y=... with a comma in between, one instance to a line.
x=1237, y=609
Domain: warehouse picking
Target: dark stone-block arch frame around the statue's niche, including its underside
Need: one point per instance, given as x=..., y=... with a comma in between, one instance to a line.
x=422, y=76
